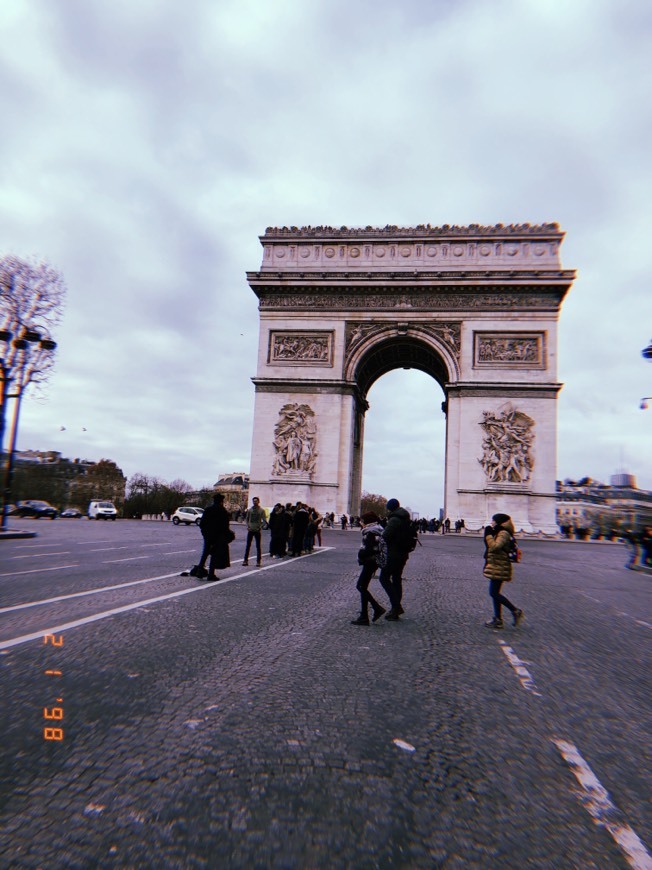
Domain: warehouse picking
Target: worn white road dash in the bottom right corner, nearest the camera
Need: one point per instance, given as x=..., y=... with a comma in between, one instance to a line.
x=604, y=812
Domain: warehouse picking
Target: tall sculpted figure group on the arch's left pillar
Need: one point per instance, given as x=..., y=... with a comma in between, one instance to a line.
x=295, y=442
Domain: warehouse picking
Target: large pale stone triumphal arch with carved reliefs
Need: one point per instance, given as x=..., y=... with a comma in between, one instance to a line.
x=474, y=307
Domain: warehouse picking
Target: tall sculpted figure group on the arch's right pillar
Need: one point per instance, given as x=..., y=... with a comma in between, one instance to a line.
x=507, y=455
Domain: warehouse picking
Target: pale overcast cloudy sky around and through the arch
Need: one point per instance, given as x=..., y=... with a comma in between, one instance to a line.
x=148, y=143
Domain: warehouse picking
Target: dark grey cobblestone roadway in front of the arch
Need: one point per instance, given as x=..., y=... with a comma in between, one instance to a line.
x=250, y=724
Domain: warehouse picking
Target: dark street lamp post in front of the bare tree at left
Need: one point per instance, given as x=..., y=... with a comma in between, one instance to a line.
x=25, y=344
